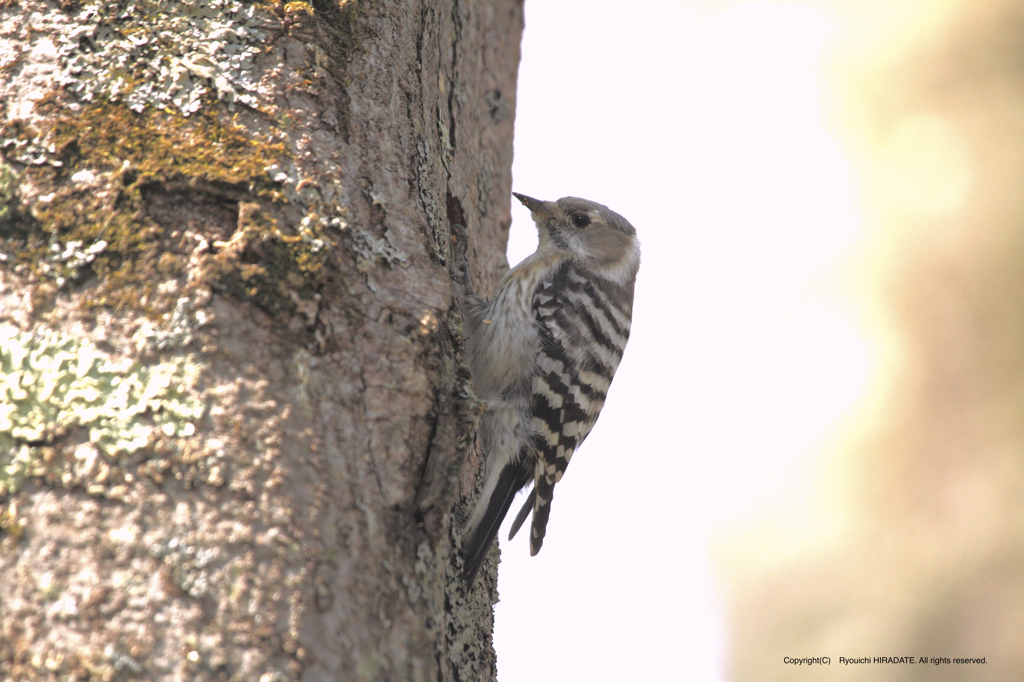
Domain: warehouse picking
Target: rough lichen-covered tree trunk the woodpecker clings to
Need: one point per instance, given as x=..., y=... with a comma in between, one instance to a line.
x=235, y=428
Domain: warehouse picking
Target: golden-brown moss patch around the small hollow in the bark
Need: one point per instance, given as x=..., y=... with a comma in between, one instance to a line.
x=95, y=212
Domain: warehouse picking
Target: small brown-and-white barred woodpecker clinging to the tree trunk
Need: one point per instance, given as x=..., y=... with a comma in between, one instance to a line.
x=543, y=353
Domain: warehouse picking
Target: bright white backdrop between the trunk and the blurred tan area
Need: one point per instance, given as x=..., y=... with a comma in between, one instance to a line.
x=702, y=123
